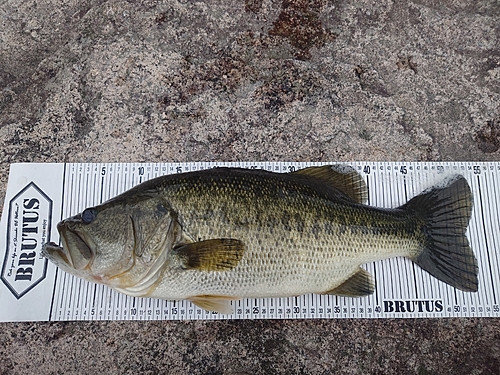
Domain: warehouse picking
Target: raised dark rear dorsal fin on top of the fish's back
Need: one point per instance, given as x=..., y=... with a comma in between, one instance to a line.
x=342, y=177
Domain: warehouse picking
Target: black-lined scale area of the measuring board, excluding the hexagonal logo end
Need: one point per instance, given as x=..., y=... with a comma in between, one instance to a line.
x=388, y=187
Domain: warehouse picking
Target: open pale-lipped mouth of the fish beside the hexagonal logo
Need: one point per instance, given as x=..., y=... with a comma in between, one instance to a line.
x=75, y=251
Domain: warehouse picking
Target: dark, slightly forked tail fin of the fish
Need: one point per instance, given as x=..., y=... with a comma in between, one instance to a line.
x=447, y=254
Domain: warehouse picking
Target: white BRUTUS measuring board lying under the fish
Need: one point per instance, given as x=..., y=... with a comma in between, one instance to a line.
x=40, y=195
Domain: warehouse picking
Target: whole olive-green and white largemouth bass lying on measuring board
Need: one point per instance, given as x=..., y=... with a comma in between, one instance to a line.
x=219, y=235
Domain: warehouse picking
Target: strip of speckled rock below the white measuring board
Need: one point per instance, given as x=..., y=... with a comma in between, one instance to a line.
x=446, y=346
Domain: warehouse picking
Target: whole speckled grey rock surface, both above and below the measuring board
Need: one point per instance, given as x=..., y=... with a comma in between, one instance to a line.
x=250, y=80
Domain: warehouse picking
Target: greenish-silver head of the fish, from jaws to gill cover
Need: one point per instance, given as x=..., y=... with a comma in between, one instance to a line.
x=123, y=243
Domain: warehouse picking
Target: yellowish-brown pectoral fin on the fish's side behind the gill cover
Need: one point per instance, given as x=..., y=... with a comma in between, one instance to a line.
x=221, y=254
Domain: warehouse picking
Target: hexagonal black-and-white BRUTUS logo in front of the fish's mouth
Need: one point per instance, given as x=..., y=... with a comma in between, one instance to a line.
x=28, y=228
